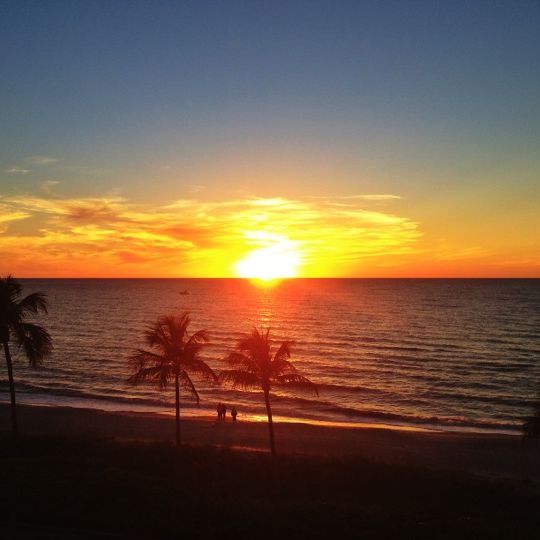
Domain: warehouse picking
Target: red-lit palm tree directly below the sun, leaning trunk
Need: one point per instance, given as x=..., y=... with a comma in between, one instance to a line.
x=253, y=366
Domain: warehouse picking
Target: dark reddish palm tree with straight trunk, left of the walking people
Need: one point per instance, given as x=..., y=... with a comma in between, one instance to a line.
x=176, y=356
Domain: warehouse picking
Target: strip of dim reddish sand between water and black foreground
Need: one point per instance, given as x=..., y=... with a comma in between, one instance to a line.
x=493, y=455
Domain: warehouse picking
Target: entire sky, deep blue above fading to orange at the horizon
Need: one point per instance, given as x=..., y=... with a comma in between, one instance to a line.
x=215, y=139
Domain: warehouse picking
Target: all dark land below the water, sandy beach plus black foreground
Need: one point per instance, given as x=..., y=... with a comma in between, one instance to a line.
x=83, y=473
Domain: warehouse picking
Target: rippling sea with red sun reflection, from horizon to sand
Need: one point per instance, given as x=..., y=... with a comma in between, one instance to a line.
x=453, y=354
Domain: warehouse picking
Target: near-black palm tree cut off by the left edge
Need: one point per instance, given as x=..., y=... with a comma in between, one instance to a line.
x=33, y=339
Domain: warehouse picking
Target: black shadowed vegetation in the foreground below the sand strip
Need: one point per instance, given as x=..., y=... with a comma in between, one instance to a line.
x=81, y=487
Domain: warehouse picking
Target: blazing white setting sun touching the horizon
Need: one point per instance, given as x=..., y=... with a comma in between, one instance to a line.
x=276, y=262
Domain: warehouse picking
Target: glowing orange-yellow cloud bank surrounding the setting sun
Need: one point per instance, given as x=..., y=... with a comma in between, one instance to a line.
x=115, y=236
